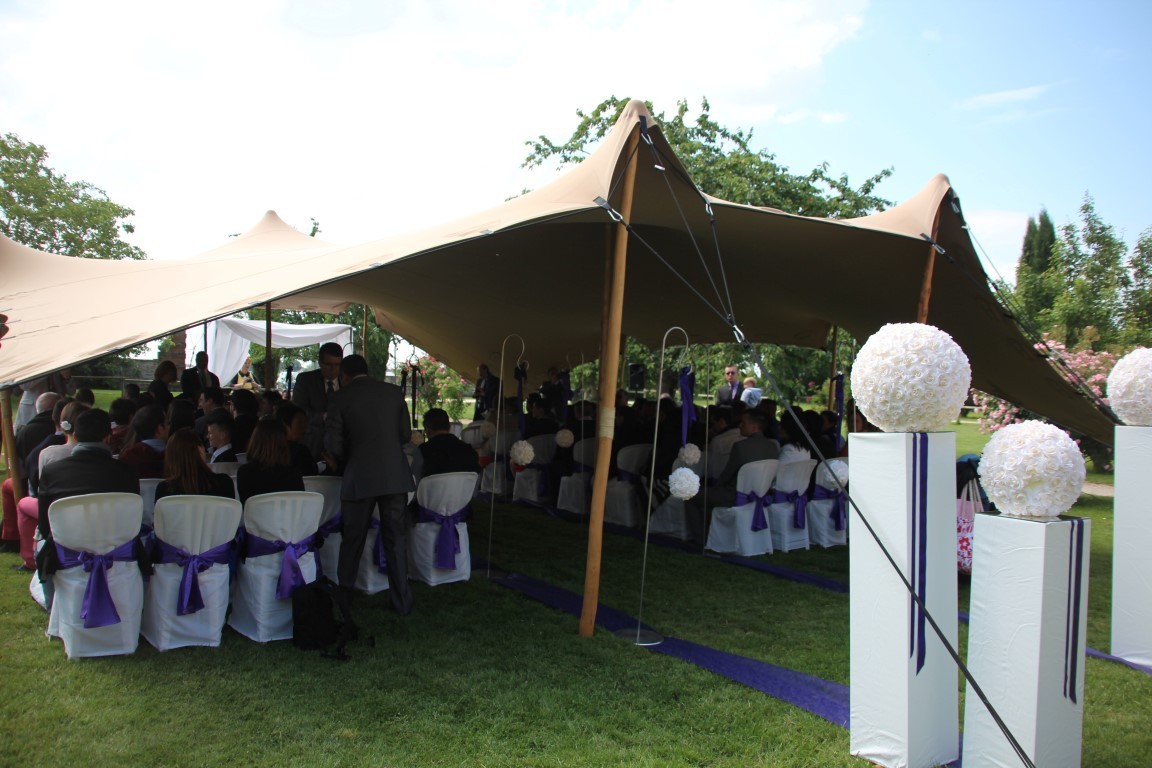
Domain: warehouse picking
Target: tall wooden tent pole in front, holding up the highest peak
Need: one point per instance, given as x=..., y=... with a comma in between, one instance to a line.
x=607, y=414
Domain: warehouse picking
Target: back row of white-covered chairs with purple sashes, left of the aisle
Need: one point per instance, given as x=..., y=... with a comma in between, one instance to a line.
x=102, y=606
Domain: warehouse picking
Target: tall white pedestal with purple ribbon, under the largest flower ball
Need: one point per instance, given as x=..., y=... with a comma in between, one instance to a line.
x=905, y=703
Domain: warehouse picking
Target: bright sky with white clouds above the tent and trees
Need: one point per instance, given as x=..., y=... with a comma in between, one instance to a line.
x=382, y=118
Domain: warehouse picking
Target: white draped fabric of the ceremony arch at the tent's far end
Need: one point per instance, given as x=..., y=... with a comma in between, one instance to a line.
x=229, y=339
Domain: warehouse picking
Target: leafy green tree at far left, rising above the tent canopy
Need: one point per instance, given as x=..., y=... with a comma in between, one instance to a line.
x=46, y=210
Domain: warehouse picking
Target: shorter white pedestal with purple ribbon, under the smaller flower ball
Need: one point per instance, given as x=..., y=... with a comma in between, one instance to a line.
x=1026, y=644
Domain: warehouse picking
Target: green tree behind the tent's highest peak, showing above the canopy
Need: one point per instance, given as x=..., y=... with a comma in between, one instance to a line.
x=724, y=164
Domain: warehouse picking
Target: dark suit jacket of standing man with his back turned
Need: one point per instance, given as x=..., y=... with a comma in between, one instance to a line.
x=367, y=428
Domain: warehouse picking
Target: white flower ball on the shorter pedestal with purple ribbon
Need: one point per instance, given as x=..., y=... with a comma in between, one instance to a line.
x=1033, y=470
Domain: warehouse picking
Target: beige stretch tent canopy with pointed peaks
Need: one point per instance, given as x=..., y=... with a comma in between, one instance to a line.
x=535, y=267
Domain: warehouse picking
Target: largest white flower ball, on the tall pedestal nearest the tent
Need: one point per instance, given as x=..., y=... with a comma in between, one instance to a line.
x=911, y=377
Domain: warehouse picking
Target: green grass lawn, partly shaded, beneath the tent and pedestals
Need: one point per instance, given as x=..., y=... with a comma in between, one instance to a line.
x=482, y=676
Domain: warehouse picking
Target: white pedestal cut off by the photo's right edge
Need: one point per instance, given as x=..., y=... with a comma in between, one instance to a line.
x=1132, y=537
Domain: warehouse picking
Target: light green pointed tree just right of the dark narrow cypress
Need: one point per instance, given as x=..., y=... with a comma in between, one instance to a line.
x=1088, y=268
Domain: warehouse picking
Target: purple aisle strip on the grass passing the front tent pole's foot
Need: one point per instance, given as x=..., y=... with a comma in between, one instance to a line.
x=822, y=698
